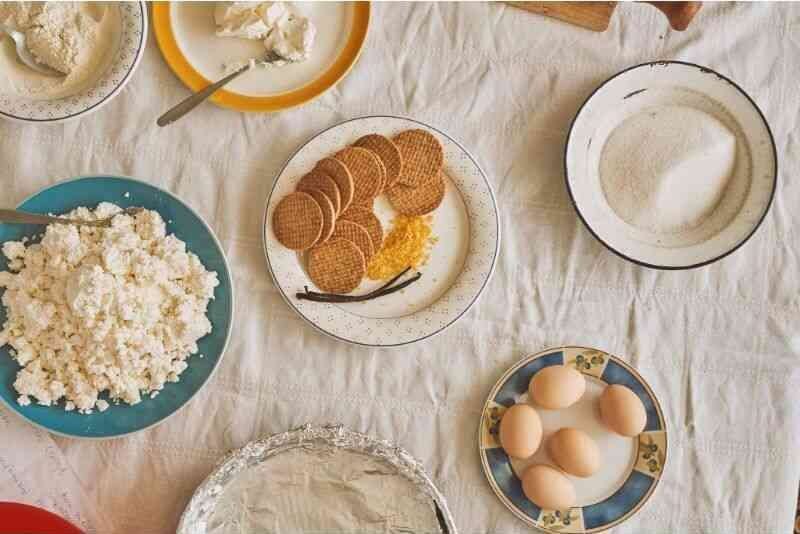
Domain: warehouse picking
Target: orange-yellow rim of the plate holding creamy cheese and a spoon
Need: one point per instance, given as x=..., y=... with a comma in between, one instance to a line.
x=162, y=25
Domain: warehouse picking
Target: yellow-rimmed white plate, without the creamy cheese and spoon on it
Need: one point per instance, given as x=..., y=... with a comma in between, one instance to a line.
x=185, y=34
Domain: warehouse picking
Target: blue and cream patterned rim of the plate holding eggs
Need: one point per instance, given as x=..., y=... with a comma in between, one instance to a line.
x=643, y=478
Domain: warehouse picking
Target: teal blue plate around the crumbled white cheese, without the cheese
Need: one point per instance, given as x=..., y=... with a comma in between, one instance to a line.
x=122, y=419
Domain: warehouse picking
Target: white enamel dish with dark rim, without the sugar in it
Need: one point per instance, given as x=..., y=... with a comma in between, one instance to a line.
x=744, y=204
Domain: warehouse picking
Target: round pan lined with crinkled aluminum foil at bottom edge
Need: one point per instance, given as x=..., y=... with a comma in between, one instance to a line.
x=317, y=479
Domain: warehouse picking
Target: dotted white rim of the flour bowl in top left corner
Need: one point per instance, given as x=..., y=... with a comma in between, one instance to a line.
x=132, y=43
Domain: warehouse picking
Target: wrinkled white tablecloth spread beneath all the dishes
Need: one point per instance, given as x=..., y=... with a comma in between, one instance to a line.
x=720, y=345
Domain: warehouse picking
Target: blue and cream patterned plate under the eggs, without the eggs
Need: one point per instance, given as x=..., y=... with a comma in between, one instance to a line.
x=630, y=469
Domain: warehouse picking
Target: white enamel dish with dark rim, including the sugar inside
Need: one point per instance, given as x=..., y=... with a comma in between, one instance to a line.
x=671, y=165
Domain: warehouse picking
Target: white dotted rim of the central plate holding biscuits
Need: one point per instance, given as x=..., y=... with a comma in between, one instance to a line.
x=479, y=265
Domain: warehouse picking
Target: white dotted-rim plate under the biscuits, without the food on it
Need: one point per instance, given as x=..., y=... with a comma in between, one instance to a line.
x=460, y=265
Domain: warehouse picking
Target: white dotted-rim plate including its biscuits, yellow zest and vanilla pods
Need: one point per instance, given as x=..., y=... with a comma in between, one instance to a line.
x=381, y=231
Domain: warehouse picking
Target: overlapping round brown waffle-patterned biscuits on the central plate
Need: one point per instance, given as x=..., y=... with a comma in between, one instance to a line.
x=331, y=215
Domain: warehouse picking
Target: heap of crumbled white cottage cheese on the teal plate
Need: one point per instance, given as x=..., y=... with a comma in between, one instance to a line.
x=116, y=309
